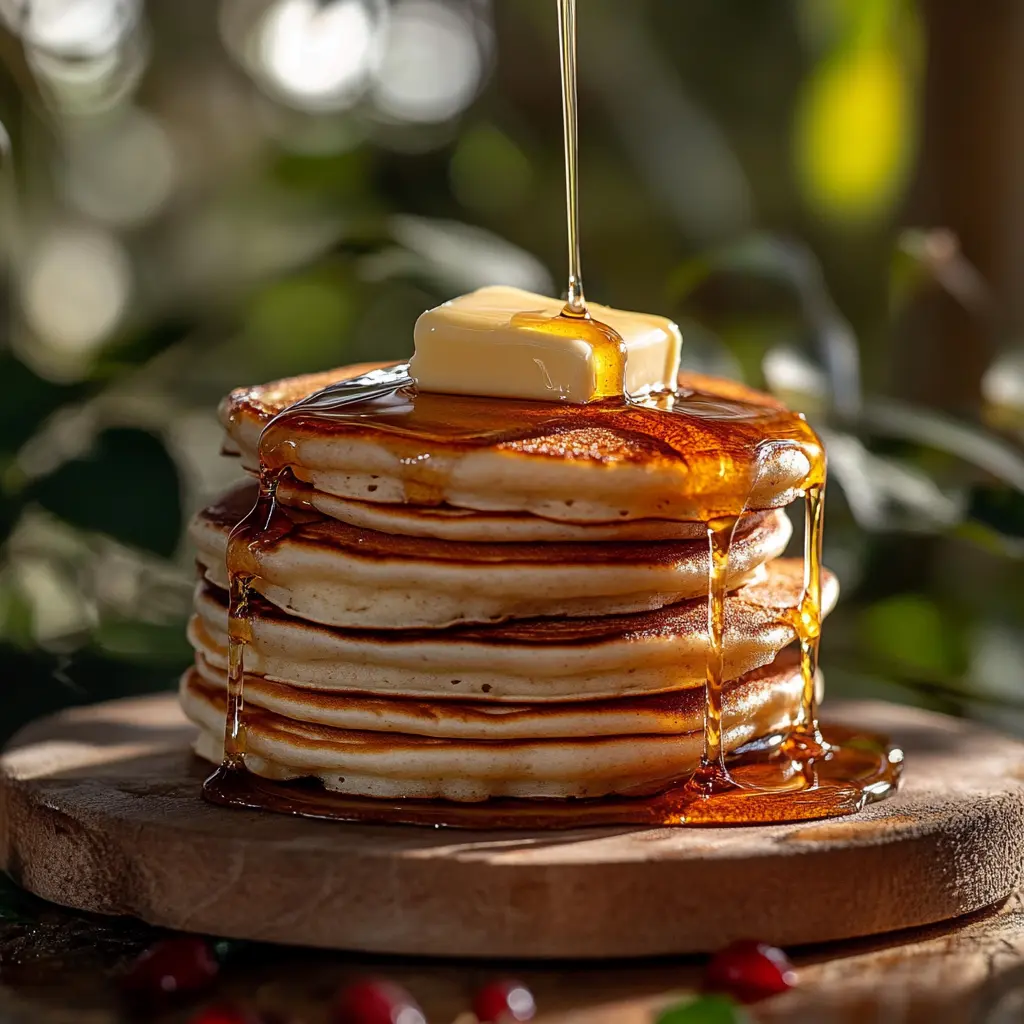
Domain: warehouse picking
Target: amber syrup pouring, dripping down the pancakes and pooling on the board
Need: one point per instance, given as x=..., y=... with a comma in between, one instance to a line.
x=813, y=772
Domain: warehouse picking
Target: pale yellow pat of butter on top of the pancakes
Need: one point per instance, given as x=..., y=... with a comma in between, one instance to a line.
x=478, y=345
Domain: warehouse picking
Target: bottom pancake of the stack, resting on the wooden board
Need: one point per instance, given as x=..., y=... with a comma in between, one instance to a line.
x=391, y=764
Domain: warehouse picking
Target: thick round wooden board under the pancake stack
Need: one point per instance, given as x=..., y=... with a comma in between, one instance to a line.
x=100, y=810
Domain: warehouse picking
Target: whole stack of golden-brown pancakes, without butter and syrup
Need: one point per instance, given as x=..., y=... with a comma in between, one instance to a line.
x=513, y=619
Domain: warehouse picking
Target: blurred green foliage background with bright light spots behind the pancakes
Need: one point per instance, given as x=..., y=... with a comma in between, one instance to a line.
x=828, y=195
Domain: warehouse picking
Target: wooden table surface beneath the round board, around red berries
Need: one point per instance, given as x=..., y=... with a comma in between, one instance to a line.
x=58, y=966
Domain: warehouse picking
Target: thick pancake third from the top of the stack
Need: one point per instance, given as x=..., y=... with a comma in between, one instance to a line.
x=330, y=573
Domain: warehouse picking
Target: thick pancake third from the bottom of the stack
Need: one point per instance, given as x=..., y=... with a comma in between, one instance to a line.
x=529, y=661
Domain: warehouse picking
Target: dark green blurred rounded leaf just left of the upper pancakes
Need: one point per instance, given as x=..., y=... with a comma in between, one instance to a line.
x=127, y=487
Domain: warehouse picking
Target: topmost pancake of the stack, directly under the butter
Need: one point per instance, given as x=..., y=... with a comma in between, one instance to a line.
x=572, y=464
